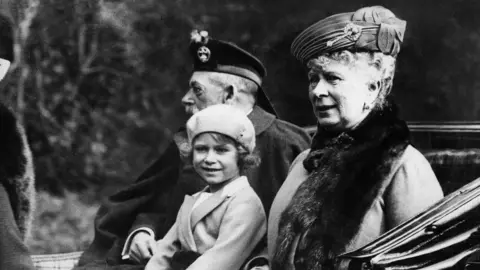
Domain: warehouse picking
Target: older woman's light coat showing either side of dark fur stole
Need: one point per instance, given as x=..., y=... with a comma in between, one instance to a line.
x=409, y=189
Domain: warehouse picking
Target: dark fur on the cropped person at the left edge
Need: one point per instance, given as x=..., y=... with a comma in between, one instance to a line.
x=16, y=170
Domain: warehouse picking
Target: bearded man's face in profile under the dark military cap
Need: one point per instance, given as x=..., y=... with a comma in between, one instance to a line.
x=204, y=90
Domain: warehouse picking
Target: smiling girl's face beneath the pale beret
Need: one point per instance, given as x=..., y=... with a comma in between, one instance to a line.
x=214, y=159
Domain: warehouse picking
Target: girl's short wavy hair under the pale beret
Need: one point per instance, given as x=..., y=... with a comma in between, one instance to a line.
x=246, y=160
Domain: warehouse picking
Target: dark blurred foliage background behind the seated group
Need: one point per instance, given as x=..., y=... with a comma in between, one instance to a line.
x=98, y=83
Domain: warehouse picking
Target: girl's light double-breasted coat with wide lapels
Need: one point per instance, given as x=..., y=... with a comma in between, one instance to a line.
x=224, y=229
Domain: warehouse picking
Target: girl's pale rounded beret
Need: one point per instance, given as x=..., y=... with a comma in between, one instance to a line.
x=223, y=119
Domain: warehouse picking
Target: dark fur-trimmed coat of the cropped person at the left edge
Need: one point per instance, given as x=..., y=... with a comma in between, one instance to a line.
x=17, y=193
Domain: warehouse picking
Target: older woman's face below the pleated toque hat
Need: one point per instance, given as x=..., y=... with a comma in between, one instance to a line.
x=339, y=92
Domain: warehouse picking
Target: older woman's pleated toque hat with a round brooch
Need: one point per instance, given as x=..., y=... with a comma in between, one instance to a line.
x=374, y=29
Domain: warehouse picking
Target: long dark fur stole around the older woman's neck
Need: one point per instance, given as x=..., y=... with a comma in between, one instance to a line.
x=345, y=175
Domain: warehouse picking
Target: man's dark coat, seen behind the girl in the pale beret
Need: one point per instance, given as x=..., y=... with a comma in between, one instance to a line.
x=154, y=199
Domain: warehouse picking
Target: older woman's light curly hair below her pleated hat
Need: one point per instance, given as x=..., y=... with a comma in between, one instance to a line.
x=384, y=64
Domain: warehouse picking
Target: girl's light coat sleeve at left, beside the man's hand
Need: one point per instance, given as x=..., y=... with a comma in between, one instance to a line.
x=166, y=248
